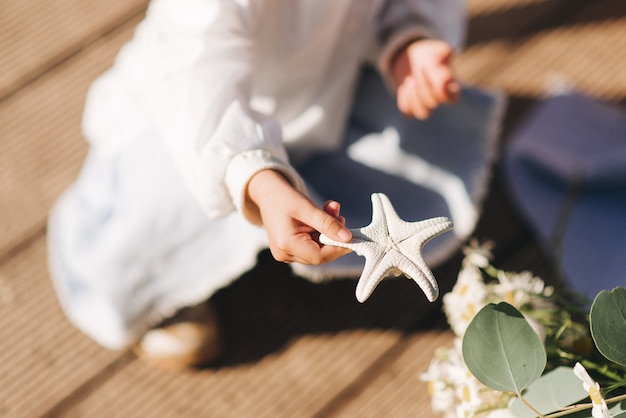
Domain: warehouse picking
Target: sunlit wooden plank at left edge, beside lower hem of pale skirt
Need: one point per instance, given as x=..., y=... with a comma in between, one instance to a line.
x=43, y=358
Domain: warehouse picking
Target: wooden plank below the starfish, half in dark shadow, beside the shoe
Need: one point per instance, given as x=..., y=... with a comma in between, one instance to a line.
x=292, y=346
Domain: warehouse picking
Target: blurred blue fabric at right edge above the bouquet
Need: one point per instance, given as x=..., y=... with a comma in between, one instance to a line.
x=566, y=171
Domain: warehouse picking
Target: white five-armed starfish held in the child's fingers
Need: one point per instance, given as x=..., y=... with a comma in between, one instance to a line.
x=391, y=245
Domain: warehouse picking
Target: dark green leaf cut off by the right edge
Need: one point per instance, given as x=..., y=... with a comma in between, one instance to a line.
x=608, y=324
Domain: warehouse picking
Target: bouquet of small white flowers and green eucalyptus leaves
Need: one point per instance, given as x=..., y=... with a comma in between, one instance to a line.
x=522, y=349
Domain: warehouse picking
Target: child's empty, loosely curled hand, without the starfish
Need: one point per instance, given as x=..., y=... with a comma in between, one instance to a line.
x=424, y=77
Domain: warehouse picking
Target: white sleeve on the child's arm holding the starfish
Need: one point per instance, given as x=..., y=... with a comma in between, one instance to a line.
x=201, y=60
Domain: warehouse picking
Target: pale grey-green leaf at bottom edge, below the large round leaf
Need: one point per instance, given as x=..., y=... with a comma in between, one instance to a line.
x=551, y=392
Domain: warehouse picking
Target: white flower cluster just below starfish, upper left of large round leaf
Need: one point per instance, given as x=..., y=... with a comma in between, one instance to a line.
x=465, y=300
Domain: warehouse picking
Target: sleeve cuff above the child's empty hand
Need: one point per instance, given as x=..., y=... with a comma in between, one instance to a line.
x=404, y=20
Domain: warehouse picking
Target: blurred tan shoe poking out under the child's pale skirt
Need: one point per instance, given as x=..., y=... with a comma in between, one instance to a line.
x=188, y=340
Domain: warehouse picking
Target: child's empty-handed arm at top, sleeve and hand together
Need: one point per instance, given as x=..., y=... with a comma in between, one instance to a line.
x=414, y=45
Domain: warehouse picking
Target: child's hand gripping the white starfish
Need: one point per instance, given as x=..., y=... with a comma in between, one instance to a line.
x=293, y=223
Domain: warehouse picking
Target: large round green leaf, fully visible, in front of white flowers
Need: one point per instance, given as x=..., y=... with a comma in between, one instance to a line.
x=501, y=349
